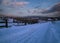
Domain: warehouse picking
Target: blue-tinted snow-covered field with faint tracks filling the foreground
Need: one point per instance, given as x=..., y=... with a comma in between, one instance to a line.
x=36, y=33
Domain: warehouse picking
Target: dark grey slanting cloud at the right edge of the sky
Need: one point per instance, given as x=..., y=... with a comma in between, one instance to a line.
x=54, y=8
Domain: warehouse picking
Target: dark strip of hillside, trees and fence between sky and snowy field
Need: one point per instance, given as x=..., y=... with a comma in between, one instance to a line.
x=18, y=21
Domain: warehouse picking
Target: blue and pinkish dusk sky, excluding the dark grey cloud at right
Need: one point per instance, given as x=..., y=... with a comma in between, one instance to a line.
x=25, y=7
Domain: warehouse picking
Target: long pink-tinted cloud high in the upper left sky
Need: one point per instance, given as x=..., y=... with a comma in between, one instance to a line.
x=9, y=3
